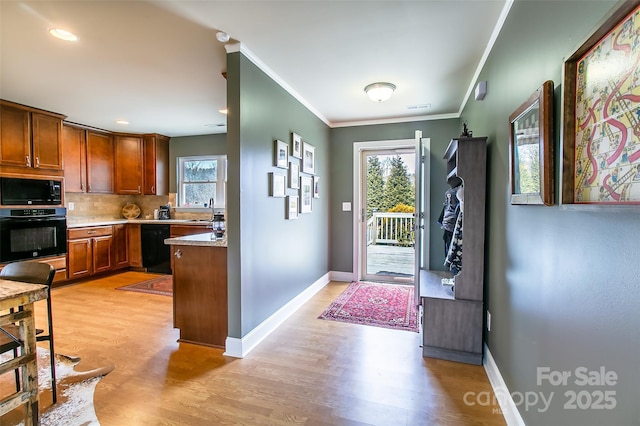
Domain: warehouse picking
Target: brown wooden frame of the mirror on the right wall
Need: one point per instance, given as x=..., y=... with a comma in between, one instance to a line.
x=543, y=97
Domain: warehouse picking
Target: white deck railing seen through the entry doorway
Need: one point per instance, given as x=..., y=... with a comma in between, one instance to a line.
x=391, y=228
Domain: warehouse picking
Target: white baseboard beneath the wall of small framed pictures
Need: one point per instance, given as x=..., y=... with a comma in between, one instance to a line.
x=239, y=348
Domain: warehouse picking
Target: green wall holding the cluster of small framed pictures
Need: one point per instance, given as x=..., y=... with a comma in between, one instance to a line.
x=271, y=260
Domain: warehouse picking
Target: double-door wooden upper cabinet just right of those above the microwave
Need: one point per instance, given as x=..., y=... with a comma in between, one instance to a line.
x=89, y=160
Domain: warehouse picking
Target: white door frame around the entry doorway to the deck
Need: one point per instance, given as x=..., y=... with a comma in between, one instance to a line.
x=358, y=209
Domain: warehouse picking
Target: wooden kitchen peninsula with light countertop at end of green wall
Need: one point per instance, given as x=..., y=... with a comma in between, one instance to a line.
x=199, y=267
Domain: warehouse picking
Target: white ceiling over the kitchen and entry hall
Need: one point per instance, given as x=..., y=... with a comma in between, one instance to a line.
x=158, y=65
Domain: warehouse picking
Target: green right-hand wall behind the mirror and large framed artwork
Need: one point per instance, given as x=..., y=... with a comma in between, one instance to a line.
x=562, y=285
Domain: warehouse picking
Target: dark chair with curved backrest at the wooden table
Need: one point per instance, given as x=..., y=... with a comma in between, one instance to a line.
x=34, y=273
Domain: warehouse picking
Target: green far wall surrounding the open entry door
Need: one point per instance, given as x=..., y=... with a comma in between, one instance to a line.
x=342, y=139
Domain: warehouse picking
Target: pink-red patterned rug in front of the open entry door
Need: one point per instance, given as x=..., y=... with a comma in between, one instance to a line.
x=375, y=304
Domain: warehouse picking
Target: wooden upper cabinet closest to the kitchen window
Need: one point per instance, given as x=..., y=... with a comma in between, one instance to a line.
x=156, y=165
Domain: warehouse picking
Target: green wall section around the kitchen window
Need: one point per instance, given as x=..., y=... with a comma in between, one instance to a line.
x=193, y=145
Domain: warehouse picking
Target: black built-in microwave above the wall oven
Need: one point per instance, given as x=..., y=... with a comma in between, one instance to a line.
x=26, y=192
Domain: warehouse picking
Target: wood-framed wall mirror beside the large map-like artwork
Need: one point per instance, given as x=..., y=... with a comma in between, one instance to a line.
x=531, y=149
